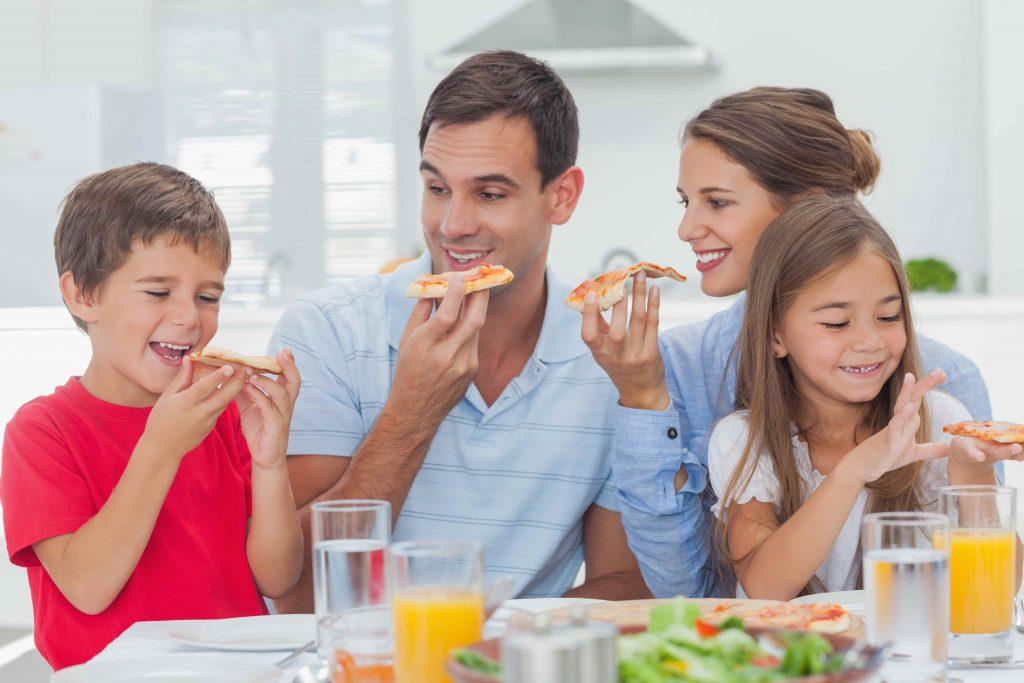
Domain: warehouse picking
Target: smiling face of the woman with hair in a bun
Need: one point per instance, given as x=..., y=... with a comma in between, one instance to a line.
x=727, y=212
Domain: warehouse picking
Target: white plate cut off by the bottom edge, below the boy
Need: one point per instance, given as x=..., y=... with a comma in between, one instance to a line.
x=172, y=669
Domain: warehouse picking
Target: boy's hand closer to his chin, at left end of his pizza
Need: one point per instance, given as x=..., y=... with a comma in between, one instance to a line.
x=187, y=412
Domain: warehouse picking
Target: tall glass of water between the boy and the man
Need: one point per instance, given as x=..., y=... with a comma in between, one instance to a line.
x=351, y=589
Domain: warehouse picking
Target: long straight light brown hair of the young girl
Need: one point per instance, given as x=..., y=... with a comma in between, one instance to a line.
x=803, y=245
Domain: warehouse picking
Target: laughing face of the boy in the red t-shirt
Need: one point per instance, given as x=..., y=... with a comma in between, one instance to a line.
x=159, y=306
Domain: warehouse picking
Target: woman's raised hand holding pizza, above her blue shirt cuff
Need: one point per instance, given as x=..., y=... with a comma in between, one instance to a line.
x=629, y=354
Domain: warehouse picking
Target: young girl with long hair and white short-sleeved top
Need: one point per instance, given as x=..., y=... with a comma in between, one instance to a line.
x=832, y=423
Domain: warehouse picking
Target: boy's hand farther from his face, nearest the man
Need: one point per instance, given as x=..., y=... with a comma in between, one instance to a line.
x=266, y=410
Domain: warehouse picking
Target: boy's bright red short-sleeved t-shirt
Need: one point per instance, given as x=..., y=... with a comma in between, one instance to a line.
x=63, y=455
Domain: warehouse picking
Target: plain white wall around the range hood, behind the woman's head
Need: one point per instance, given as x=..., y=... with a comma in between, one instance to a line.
x=910, y=72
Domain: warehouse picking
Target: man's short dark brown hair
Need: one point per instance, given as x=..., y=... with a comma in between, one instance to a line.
x=514, y=86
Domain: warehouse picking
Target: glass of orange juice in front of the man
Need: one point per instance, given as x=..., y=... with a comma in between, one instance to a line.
x=438, y=603
